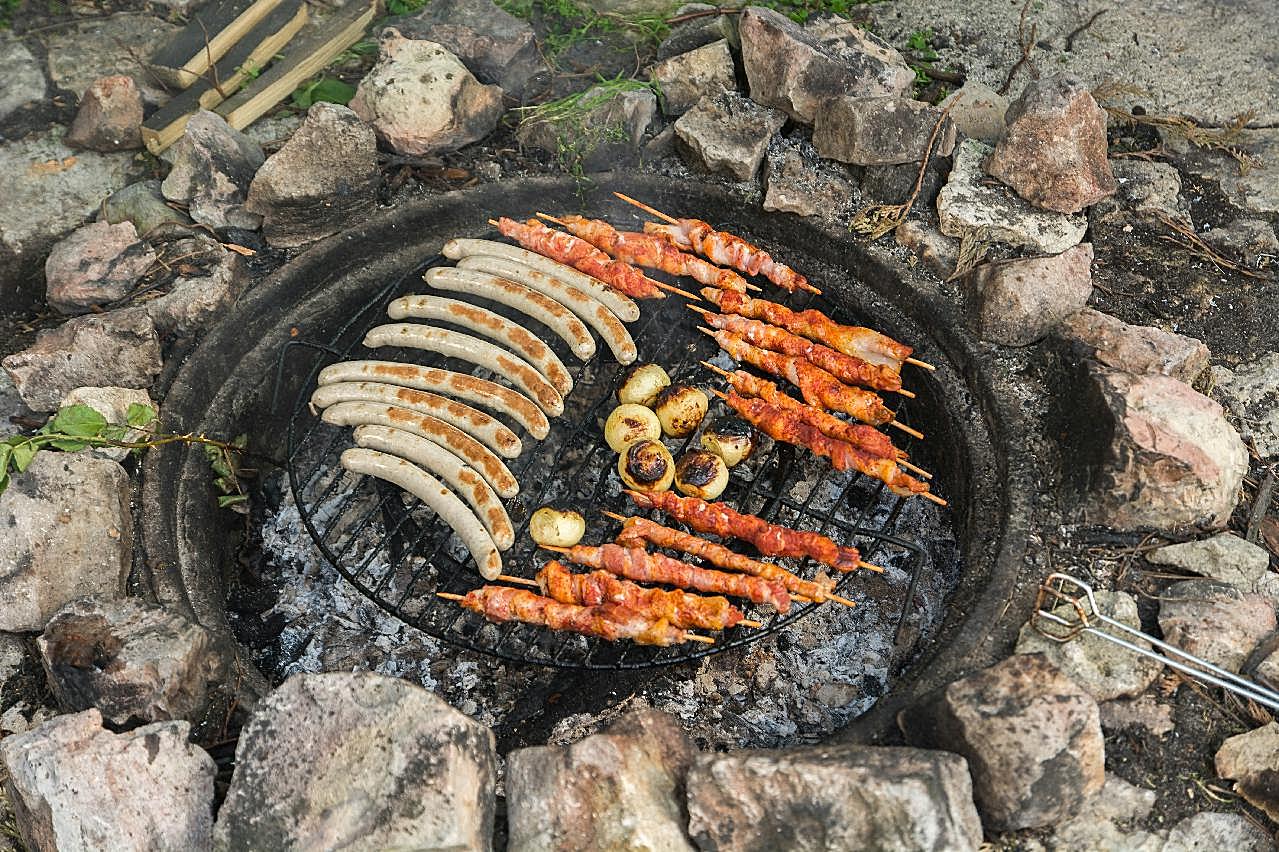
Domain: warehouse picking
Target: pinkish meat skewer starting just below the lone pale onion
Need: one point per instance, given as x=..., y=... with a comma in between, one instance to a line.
x=641, y=566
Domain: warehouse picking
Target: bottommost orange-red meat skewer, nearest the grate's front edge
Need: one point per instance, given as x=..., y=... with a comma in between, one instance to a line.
x=608, y=622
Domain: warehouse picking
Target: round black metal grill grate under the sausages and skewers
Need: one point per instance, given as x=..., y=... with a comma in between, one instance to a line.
x=398, y=555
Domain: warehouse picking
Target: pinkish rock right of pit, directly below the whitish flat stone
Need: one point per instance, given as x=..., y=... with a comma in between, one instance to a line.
x=1017, y=303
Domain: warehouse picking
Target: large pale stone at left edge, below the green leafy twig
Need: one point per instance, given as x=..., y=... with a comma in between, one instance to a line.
x=66, y=533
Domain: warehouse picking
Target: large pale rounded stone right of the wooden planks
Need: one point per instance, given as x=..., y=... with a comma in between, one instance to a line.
x=421, y=99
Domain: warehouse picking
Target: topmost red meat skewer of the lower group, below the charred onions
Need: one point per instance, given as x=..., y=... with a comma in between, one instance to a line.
x=769, y=539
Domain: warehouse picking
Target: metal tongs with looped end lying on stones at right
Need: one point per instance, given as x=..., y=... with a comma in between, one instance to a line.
x=1090, y=620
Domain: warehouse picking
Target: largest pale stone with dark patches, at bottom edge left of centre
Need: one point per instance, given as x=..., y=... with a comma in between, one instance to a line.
x=359, y=761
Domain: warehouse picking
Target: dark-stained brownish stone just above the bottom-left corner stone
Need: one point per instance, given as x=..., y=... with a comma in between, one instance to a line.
x=131, y=661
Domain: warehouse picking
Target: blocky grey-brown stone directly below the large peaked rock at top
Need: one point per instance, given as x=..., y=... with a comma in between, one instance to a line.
x=881, y=131
